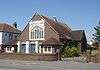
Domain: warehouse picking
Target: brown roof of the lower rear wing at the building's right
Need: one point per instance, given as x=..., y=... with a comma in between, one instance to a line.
x=77, y=35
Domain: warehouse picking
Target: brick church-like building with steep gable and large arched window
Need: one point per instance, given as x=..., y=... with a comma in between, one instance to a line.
x=45, y=35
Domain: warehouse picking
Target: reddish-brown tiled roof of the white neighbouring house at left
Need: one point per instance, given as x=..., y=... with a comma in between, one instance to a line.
x=7, y=28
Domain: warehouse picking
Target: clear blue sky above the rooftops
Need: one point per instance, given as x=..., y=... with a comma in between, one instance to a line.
x=77, y=14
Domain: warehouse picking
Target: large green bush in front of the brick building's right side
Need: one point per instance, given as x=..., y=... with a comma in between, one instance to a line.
x=70, y=49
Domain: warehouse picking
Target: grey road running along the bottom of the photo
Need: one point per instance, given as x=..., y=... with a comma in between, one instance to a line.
x=46, y=65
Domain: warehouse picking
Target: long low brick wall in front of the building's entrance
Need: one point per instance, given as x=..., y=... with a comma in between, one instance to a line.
x=29, y=57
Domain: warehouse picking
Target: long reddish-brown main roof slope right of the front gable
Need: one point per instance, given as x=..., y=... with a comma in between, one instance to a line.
x=59, y=27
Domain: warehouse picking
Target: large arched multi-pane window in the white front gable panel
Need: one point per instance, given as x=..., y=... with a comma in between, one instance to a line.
x=37, y=33
